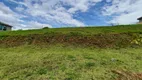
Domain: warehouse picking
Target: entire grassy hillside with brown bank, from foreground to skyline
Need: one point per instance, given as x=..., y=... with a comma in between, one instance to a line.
x=85, y=53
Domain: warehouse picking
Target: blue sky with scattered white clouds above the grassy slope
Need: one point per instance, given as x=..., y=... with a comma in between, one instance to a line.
x=35, y=14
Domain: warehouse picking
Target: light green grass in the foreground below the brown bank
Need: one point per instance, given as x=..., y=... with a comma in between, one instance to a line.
x=58, y=62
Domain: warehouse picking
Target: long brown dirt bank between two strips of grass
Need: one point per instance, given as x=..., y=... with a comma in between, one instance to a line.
x=98, y=40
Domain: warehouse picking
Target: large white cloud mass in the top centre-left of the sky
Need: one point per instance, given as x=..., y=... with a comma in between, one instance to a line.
x=55, y=10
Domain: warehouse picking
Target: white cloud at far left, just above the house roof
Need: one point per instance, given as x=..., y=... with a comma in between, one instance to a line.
x=14, y=19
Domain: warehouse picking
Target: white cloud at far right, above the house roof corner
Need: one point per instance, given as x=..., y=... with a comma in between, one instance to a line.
x=126, y=11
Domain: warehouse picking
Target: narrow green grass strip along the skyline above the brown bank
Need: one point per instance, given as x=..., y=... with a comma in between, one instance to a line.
x=83, y=30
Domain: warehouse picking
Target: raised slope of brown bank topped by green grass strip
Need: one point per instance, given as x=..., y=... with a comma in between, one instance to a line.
x=103, y=37
